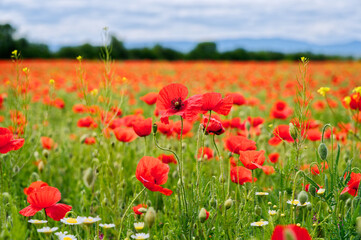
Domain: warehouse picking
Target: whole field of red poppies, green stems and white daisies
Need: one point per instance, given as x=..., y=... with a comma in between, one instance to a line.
x=179, y=150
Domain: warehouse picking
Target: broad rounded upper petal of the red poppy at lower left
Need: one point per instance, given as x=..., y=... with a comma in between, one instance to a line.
x=44, y=197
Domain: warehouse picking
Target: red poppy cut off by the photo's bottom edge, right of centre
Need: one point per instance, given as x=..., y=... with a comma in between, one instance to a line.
x=291, y=231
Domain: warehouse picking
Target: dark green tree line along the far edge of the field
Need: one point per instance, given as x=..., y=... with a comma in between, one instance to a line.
x=202, y=51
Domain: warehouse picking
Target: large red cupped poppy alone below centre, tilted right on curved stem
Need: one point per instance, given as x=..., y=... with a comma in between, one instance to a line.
x=152, y=173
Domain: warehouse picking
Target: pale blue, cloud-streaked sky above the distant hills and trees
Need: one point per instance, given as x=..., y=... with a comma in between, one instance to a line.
x=64, y=22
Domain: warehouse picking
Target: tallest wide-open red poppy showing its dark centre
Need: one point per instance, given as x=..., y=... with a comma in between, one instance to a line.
x=172, y=101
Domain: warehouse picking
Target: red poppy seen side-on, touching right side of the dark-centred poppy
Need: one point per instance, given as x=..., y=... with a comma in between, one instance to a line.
x=214, y=102
